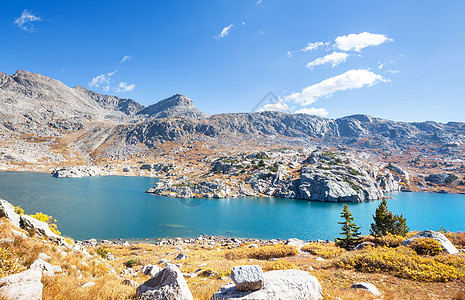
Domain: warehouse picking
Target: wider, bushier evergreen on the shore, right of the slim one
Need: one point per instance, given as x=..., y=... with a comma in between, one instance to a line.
x=385, y=222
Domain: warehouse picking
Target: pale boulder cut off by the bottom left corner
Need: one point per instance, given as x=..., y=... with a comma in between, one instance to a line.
x=22, y=286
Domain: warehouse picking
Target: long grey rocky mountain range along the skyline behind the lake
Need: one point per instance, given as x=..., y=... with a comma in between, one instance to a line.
x=38, y=105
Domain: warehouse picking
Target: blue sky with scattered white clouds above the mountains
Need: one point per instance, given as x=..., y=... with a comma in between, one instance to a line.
x=399, y=60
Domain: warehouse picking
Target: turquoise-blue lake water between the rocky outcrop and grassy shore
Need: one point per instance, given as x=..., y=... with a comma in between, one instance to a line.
x=113, y=207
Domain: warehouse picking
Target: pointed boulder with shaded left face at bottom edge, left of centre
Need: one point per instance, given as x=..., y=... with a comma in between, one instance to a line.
x=168, y=284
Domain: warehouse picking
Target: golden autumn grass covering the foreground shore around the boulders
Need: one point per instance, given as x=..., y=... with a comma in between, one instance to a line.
x=334, y=278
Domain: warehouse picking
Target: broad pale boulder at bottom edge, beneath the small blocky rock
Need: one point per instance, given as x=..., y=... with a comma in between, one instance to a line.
x=281, y=284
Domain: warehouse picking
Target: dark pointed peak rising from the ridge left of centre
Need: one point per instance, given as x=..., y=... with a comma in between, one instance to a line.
x=175, y=106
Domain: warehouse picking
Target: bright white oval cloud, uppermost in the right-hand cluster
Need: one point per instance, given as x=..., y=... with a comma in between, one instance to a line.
x=356, y=42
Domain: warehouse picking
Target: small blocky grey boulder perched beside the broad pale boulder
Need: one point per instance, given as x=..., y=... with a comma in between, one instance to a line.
x=248, y=277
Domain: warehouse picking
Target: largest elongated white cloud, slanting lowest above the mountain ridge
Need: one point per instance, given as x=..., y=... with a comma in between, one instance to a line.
x=351, y=79
